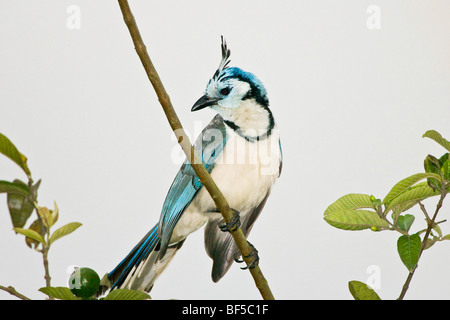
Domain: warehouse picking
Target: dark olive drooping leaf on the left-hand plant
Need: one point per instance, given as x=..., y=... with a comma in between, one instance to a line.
x=19, y=205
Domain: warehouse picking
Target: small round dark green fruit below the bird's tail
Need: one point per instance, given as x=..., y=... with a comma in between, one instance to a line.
x=84, y=282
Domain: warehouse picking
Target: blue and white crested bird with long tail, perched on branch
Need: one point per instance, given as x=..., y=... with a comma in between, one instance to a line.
x=241, y=150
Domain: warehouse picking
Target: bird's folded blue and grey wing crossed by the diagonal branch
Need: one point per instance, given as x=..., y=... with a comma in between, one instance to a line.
x=186, y=184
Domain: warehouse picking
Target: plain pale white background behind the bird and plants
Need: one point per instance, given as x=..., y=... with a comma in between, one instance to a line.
x=351, y=102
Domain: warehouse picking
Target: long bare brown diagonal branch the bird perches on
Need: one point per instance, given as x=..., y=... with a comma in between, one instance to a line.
x=183, y=140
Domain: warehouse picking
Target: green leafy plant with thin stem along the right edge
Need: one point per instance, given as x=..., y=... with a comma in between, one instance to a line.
x=361, y=211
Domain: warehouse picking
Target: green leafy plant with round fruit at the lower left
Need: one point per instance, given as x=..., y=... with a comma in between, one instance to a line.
x=22, y=201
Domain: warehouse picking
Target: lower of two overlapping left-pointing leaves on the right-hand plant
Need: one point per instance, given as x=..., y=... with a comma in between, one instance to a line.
x=355, y=220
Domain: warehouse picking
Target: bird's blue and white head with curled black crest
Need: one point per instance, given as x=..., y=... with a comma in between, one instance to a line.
x=230, y=87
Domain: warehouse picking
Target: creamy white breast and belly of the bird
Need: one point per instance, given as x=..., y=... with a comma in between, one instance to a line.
x=244, y=172
